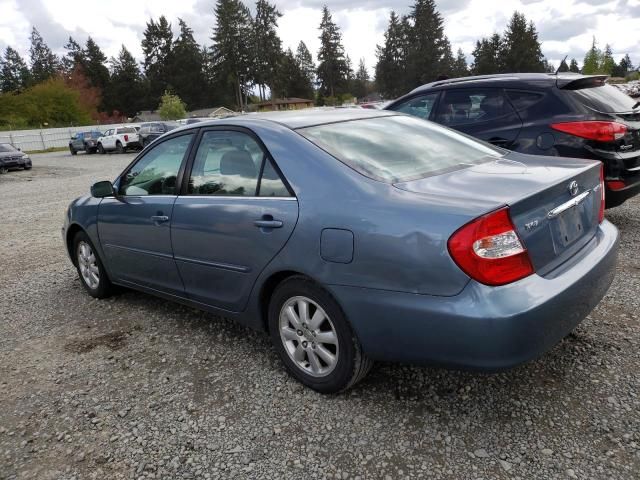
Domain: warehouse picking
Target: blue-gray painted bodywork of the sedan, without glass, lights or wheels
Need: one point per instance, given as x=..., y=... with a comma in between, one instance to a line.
x=403, y=294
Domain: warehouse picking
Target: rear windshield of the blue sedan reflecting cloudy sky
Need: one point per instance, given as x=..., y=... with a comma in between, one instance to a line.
x=399, y=148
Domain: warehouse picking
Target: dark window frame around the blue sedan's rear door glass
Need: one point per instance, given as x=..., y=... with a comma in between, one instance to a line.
x=184, y=187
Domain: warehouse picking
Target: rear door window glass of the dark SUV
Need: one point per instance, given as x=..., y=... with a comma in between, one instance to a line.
x=468, y=106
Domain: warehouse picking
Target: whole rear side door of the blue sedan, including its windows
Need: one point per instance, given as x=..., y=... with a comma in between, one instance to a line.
x=235, y=216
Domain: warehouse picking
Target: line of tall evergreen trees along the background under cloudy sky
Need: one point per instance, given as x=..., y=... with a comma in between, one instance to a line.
x=247, y=63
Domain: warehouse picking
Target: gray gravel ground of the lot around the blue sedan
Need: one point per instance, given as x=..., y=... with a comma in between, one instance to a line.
x=136, y=387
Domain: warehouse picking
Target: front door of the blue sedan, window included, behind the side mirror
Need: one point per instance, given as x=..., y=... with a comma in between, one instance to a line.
x=134, y=227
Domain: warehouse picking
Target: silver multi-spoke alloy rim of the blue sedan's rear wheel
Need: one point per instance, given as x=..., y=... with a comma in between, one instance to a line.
x=309, y=337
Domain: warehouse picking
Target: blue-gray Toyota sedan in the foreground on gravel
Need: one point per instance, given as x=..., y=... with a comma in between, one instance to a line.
x=354, y=236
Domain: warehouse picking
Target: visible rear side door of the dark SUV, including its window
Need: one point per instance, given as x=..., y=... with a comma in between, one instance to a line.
x=484, y=113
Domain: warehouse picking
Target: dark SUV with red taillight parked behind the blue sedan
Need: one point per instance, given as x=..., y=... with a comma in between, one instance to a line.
x=566, y=115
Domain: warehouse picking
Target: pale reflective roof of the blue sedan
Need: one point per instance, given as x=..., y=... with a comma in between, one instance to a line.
x=299, y=118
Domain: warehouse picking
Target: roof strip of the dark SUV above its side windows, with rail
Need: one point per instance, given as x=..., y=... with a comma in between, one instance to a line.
x=508, y=79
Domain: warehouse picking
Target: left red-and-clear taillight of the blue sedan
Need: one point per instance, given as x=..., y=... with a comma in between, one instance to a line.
x=489, y=250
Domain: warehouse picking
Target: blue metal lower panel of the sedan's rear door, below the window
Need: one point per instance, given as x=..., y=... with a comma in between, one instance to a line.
x=219, y=249
